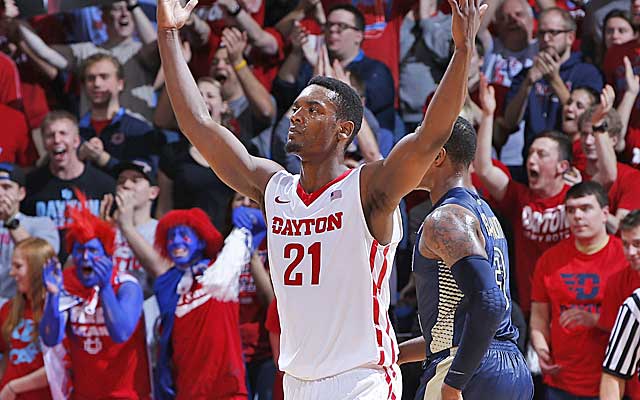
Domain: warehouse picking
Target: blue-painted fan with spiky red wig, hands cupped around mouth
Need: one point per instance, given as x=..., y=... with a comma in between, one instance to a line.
x=99, y=310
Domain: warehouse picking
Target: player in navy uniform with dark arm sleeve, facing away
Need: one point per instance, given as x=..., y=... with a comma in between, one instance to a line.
x=461, y=268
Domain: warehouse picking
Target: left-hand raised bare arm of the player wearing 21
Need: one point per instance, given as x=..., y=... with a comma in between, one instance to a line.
x=226, y=155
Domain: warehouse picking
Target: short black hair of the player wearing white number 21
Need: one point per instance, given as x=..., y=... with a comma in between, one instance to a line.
x=347, y=102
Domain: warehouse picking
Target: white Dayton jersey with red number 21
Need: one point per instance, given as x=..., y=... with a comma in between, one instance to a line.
x=330, y=276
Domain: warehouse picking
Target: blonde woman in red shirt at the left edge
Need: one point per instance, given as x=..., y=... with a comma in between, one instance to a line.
x=24, y=376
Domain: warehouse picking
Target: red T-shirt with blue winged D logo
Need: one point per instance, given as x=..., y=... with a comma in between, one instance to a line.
x=568, y=279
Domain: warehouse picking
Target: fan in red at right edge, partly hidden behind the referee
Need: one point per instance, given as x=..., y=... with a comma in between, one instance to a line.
x=620, y=286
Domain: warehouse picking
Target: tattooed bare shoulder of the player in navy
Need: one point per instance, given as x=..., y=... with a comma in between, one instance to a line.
x=451, y=233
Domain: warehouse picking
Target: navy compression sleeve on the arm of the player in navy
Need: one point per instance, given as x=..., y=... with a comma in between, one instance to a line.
x=487, y=306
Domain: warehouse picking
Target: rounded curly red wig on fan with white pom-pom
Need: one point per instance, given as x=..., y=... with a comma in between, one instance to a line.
x=197, y=220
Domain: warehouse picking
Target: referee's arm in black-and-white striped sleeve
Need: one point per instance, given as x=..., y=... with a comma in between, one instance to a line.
x=621, y=358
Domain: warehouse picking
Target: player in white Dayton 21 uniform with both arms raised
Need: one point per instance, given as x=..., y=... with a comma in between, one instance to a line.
x=332, y=232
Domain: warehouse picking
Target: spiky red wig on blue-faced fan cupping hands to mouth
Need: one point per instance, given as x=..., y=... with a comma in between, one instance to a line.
x=84, y=226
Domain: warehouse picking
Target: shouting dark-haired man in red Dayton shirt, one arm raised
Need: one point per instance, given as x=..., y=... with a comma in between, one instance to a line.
x=537, y=210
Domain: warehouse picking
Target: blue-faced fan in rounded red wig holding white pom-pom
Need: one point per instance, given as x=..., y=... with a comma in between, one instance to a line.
x=200, y=348
